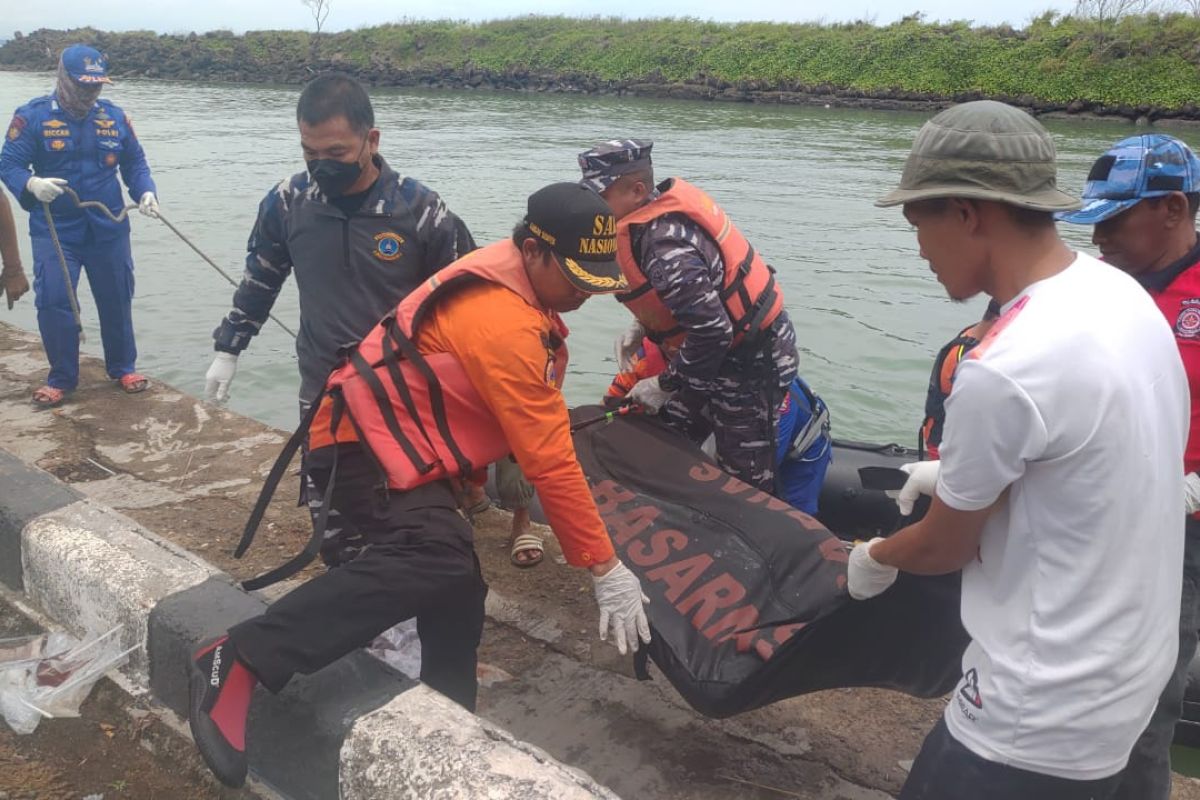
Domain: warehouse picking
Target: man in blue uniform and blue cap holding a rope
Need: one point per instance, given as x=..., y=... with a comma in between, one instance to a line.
x=71, y=139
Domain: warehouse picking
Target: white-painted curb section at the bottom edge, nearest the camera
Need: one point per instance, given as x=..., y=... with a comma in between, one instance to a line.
x=427, y=748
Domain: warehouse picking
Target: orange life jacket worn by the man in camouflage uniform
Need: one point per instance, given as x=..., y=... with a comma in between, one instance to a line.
x=751, y=296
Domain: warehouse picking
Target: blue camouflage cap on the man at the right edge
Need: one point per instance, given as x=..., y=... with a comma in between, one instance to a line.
x=1151, y=165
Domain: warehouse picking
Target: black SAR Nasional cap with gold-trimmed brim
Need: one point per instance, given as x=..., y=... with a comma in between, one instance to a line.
x=579, y=227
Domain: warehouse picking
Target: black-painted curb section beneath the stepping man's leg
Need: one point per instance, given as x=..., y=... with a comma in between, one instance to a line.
x=293, y=739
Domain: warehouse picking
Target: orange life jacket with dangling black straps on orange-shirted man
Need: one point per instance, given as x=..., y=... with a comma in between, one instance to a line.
x=418, y=416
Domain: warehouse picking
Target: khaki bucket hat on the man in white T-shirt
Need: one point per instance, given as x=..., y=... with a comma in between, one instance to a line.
x=987, y=152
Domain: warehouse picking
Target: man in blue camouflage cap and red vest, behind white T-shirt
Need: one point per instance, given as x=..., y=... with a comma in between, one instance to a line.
x=1142, y=197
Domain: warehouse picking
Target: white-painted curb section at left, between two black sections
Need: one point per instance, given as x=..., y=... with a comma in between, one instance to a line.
x=91, y=569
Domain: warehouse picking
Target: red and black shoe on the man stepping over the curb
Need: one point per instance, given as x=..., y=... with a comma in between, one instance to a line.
x=221, y=688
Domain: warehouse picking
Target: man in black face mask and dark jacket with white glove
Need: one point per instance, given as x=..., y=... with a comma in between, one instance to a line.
x=358, y=237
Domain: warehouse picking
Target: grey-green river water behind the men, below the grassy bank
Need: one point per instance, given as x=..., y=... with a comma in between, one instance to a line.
x=799, y=182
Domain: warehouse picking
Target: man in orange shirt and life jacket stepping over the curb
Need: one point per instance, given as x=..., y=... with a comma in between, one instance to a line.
x=466, y=370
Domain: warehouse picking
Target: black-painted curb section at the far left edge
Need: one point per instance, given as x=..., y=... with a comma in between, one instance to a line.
x=26, y=494
